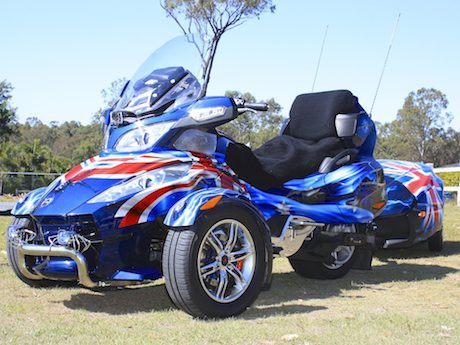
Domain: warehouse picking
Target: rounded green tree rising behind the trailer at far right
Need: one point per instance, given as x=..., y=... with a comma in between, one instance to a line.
x=423, y=112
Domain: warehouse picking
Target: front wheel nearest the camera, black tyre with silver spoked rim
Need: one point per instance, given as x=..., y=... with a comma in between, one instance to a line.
x=215, y=269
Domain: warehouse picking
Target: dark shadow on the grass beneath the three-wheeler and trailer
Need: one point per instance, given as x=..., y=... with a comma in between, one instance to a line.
x=287, y=291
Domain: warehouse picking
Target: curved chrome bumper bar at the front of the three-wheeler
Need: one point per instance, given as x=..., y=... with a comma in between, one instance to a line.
x=42, y=250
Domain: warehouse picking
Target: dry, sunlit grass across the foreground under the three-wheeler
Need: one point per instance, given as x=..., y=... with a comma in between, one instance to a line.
x=410, y=297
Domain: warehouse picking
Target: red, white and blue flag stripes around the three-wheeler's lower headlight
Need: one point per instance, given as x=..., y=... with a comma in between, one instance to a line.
x=148, y=204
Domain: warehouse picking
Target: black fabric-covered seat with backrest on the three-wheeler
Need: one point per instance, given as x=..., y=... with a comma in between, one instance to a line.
x=309, y=138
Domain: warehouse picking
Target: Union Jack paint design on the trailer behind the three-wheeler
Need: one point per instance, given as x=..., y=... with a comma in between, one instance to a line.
x=426, y=187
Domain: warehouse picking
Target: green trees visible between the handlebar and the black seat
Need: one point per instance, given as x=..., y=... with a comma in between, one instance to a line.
x=254, y=129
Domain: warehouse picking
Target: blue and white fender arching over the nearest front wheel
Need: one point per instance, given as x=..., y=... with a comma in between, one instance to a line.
x=187, y=210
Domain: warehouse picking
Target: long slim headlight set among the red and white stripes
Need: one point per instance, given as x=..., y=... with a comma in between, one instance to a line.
x=147, y=180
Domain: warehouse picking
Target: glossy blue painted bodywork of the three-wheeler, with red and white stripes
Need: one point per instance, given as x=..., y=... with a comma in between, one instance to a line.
x=124, y=229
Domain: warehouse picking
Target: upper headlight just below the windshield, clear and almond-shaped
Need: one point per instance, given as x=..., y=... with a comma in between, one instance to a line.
x=142, y=138
